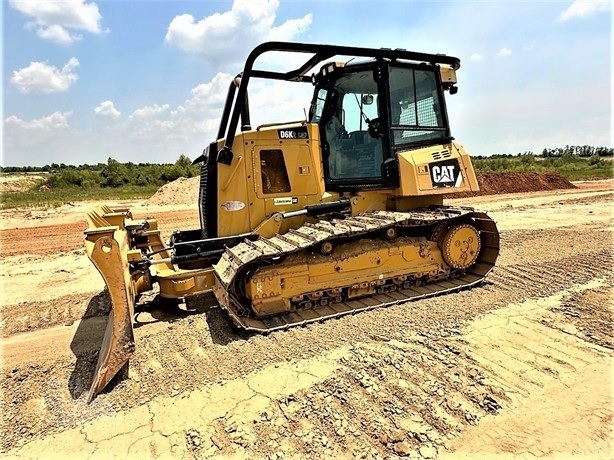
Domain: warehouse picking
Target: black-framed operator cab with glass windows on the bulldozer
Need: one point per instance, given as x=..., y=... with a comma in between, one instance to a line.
x=369, y=111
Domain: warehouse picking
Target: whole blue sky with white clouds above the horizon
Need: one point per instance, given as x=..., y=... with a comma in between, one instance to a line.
x=145, y=81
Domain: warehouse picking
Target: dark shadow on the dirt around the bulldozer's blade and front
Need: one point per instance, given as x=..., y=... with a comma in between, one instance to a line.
x=88, y=338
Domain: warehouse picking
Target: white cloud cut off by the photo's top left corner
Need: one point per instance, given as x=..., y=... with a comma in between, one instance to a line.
x=53, y=20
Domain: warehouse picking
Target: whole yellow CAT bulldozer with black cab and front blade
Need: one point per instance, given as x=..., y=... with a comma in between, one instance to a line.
x=302, y=221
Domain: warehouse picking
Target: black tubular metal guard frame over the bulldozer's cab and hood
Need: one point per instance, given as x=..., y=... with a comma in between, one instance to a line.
x=237, y=104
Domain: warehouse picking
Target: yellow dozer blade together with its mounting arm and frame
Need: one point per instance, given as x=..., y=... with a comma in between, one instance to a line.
x=130, y=256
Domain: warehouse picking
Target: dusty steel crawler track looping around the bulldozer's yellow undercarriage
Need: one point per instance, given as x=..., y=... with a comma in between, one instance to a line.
x=240, y=261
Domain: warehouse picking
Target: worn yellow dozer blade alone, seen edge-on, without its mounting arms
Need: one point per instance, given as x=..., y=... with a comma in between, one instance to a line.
x=107, y=248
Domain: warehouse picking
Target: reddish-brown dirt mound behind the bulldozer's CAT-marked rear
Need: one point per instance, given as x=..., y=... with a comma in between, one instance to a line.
x=516, y=182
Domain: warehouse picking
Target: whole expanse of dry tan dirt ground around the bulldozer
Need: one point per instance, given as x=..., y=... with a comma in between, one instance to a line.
x=520, y=367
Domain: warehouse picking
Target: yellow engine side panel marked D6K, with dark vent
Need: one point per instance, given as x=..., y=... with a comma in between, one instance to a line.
x=273, y=169
